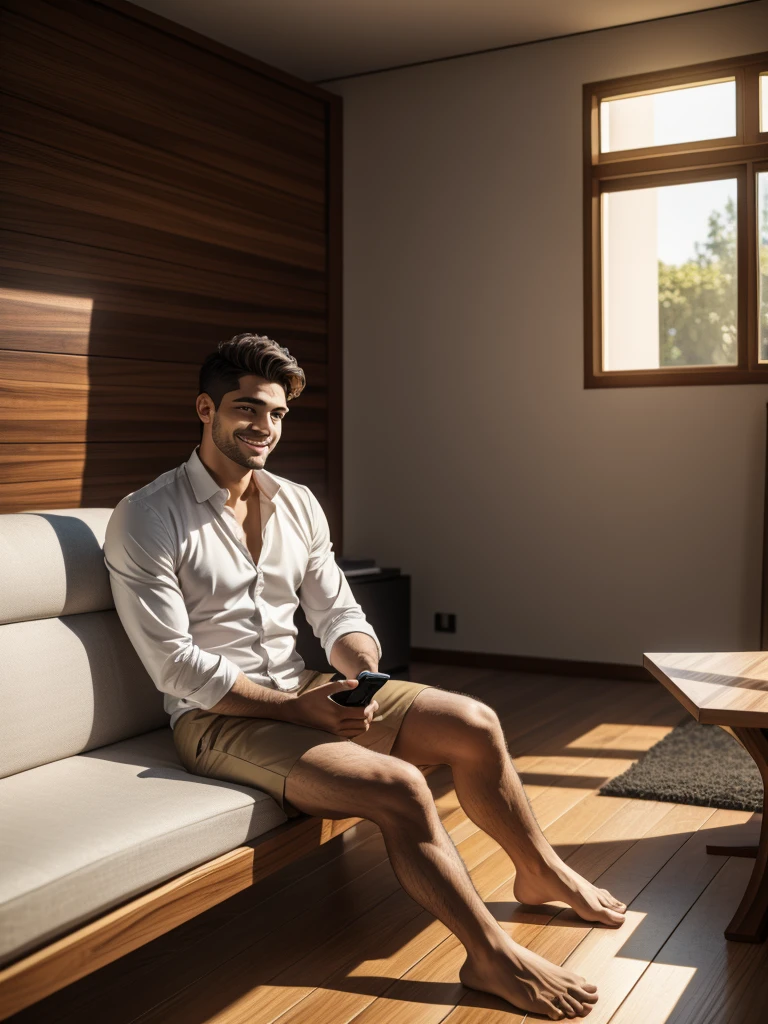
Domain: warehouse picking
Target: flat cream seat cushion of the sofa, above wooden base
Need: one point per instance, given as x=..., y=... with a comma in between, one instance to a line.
x=83, y=835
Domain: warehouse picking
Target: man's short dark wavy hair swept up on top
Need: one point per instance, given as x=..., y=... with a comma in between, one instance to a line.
x=249, y=354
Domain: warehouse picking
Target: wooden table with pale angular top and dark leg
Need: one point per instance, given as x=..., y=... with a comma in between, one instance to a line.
x=732, y=691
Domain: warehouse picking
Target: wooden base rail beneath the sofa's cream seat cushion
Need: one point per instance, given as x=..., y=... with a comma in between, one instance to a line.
x=156, y=913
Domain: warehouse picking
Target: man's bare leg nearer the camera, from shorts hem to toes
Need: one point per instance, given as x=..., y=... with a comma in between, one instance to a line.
x=346, y=780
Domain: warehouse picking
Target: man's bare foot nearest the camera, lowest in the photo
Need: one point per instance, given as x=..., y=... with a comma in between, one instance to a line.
x=530, y=983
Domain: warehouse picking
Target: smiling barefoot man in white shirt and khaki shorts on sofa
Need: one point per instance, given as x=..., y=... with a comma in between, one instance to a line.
x=208, y=565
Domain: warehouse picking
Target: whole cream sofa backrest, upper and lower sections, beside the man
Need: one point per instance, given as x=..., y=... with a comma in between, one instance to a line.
x=70, y=679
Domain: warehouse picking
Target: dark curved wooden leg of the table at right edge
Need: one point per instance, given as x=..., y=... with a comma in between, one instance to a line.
x=750, y=923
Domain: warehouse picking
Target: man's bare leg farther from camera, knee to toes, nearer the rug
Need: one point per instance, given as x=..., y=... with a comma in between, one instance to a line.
x=442, y=728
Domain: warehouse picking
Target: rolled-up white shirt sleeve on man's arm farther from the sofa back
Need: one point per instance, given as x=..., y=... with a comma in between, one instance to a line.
x=325, y=593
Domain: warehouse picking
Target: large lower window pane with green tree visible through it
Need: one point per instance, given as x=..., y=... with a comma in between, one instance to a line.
x=669, y=260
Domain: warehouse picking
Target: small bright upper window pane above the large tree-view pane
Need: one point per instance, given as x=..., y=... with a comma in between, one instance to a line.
x=674, y=116
